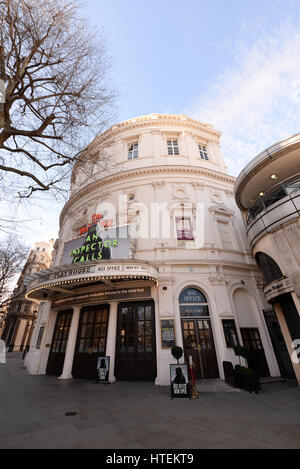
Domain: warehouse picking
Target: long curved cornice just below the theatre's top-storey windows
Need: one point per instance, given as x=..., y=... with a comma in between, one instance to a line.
x=147, y=170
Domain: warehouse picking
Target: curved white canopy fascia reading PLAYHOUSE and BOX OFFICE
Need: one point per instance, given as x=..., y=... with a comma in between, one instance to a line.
x=95, y=270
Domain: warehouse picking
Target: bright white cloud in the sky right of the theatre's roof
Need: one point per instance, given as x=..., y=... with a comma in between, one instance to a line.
x=256, y=102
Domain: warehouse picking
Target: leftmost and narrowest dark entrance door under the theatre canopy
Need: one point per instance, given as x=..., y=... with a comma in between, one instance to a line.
x=59, y=343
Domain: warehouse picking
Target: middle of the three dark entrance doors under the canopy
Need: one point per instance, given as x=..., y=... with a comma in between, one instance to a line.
x=91, y=340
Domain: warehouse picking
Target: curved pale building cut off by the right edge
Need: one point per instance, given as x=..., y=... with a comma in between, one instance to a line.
x=268, y=193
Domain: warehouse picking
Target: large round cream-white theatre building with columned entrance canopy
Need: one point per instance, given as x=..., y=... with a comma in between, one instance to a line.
x=152, y=252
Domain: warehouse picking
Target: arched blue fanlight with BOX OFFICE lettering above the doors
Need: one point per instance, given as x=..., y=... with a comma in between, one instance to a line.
x=192, y=303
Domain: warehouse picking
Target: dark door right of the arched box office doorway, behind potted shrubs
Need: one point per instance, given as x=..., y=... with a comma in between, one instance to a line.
x=257, y=359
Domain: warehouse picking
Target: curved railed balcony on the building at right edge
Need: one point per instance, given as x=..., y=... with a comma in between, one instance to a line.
x=274, y=208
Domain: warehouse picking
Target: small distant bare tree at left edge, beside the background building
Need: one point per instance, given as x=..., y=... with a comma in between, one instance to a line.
x=13, y=255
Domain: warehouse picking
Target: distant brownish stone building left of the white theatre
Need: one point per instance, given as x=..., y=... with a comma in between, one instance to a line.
x=20, y=312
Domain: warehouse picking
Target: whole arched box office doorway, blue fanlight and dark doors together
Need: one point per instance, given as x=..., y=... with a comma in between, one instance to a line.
x=197, y=333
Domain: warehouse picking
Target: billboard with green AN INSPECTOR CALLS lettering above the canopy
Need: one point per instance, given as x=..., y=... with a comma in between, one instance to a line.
x=97, y=244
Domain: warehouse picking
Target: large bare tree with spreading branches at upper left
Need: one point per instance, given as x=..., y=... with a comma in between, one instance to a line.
x=56, y=97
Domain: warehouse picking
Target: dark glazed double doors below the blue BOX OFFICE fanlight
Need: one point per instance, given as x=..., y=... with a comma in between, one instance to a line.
x=198, y=341
